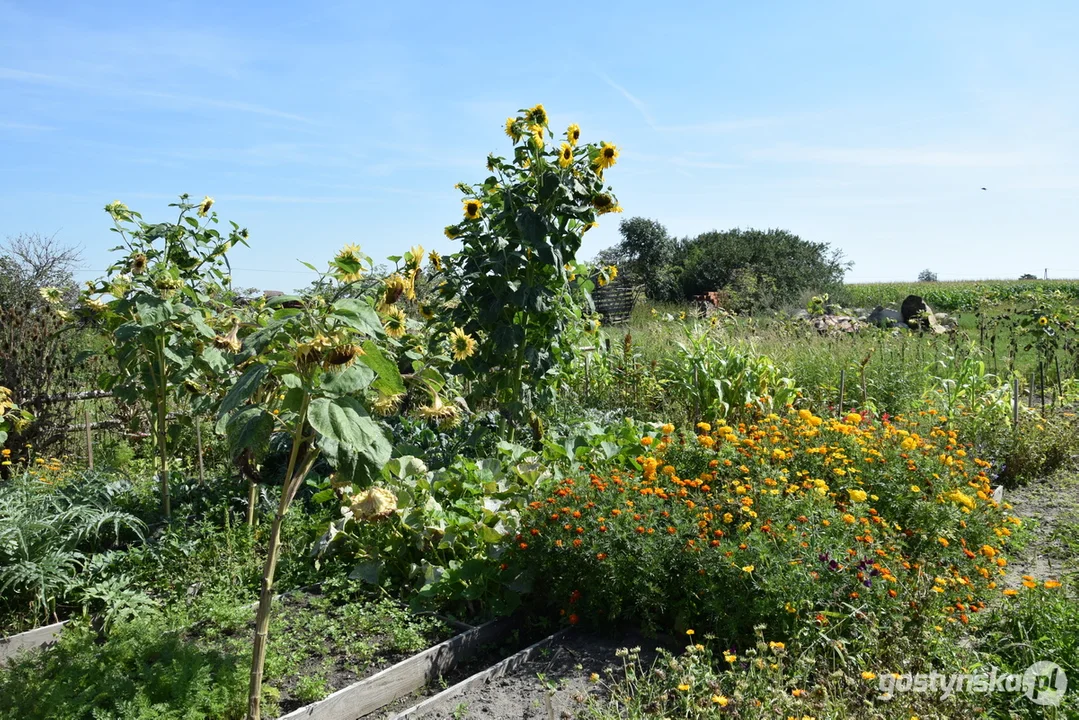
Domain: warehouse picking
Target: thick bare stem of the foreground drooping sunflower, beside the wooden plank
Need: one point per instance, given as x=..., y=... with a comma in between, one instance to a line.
x=294, y=477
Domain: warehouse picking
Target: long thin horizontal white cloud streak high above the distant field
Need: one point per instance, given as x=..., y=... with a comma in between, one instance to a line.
x=898, y=157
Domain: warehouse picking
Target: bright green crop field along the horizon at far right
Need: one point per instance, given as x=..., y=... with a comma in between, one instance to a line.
x=952, y=296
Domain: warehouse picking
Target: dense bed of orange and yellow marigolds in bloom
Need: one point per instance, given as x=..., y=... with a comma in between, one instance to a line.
x=838, y=526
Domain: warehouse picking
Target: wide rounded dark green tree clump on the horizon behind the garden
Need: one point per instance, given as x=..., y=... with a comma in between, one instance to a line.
x=771, y=268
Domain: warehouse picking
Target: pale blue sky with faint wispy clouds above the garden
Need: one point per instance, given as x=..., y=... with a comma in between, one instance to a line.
x=872, y=127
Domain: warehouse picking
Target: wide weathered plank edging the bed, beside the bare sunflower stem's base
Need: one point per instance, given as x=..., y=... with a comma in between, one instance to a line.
x=370, y=695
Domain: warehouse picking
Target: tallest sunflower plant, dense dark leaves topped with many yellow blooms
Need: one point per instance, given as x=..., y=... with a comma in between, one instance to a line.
x=515, y=286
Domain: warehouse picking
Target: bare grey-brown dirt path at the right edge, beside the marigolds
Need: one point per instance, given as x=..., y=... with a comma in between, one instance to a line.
x=1050, y=513
